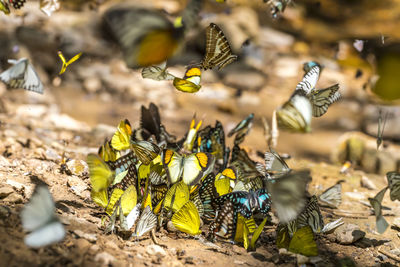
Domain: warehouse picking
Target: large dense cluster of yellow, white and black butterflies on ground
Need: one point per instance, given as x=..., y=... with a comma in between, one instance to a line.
x=146, y=179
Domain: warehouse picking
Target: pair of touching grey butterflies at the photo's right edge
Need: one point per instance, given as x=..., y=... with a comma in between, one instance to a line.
x=393, y=179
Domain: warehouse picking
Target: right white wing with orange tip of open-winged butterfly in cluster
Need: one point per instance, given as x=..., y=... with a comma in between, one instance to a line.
x=196, y=166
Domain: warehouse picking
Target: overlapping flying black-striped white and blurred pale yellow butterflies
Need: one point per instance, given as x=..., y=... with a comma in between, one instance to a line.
x=306, y=101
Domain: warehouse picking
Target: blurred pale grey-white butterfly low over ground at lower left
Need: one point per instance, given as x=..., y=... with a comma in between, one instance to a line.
x=38, y=217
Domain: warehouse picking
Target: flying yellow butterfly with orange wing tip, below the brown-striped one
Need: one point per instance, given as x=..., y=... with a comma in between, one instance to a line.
x=190, y=83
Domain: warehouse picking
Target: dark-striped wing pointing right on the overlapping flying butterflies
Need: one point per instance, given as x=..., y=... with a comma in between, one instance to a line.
x=323, y=98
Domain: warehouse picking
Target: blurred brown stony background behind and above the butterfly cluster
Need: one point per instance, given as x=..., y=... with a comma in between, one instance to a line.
x=100, y=89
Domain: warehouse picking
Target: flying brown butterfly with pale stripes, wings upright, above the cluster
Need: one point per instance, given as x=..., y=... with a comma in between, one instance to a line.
x=218, y=50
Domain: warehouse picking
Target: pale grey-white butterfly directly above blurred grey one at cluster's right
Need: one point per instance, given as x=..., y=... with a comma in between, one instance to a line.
x=275, y=165
